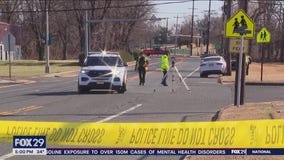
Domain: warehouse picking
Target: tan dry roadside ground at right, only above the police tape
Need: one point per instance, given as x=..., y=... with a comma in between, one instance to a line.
x=273, y=74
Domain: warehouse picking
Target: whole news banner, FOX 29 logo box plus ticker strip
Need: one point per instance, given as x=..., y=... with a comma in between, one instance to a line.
x=36, y=145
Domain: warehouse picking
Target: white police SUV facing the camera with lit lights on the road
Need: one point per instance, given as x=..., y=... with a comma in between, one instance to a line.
x=103, y=71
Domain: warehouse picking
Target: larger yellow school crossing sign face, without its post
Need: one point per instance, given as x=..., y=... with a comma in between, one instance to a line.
x=239, y=23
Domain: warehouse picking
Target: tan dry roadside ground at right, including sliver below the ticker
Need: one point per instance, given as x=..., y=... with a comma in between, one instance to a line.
x=273, y=75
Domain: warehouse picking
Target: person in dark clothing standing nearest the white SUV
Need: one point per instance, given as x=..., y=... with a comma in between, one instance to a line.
x=142, y=65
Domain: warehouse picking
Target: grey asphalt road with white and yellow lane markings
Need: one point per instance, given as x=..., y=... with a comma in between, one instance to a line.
x=56, y=99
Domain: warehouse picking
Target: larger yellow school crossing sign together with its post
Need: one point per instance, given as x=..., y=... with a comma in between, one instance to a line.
x=239, y=26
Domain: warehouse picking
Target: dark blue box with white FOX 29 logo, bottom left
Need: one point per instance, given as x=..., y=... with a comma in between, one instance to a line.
x=29, y=142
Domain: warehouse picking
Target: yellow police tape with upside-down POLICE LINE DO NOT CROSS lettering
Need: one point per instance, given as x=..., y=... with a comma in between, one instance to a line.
x=228, y=134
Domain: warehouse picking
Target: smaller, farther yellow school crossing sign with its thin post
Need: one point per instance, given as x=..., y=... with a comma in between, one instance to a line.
x=263, y=36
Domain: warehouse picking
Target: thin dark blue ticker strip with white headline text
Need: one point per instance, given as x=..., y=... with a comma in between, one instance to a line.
x=142, y=151
